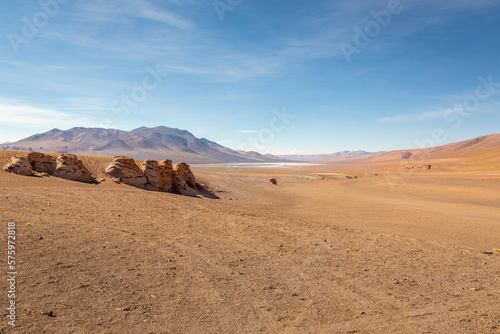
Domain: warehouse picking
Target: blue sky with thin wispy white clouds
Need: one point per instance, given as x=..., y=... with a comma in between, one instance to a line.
x=372, y=75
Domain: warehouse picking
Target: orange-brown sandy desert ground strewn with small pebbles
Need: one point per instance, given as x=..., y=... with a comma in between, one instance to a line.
x=315, y=254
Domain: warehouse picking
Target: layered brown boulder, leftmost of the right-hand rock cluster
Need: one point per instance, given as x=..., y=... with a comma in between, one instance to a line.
x=125, y=170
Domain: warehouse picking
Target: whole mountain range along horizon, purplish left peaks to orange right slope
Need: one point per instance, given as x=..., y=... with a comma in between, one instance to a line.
x=180, y=145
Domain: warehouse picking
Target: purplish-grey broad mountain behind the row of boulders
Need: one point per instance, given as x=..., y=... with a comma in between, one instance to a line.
x=142, y=143
